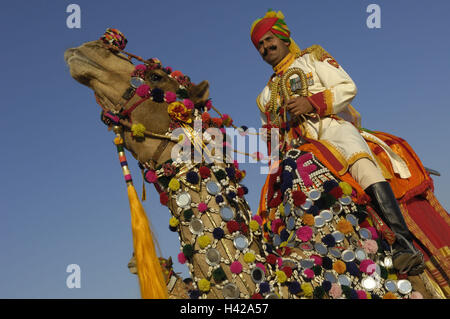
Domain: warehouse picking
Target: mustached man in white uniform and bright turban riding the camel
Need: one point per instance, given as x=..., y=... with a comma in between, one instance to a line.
x=326, y=115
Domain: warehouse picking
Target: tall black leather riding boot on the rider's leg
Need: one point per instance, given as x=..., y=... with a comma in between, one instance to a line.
x=406, y=258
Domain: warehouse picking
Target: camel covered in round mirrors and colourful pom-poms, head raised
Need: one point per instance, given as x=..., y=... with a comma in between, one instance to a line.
x=229, y=252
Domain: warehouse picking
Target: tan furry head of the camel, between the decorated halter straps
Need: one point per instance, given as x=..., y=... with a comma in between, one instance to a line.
x=108, y=73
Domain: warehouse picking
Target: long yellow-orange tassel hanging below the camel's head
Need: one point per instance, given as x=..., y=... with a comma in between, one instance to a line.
x=151, y=278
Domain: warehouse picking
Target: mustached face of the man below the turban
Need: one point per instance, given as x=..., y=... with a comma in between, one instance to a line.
x=272, y=49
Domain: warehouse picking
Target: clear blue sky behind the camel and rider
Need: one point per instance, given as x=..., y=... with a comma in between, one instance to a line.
x=63, y=200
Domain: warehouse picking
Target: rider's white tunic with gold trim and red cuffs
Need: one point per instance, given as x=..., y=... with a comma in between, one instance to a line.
x=336, y=131
